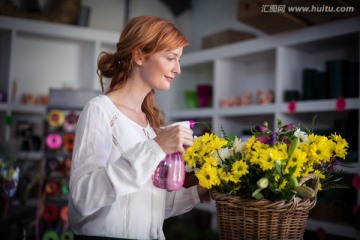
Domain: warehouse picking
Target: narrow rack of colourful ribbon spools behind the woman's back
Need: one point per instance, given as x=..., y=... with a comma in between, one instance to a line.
x=62, y=116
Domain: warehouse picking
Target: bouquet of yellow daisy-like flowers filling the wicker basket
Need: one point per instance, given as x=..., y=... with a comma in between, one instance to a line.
x=270, y=164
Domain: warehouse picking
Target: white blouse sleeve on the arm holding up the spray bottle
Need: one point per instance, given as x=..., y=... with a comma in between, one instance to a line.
x=96, y=182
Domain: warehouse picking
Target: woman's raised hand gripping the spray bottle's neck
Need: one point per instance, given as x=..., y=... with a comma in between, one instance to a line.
x=174, y=139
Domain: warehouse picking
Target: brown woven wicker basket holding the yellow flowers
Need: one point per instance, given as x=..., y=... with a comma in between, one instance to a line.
x=262, y=219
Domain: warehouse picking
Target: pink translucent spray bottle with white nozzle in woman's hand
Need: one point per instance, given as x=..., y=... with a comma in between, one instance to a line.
x=170, y=173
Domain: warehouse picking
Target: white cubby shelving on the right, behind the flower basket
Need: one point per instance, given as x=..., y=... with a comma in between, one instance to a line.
x=273, y=62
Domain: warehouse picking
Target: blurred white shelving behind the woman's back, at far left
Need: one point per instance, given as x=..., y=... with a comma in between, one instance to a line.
x=36, y=56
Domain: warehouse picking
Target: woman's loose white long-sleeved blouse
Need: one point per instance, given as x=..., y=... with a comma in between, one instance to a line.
x=111, y=190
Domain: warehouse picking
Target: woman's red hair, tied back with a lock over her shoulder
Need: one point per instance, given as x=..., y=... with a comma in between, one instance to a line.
x=150, y=34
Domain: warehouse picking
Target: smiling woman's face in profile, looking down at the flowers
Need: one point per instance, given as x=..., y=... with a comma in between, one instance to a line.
x=159, y=70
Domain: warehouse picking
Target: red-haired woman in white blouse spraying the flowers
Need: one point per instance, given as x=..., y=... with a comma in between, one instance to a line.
x=119, y=142
